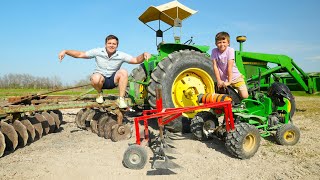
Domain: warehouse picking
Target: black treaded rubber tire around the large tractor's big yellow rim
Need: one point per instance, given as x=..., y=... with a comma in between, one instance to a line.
x=165, y=73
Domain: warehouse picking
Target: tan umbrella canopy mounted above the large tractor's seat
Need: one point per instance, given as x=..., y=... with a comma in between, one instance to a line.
x=167, y=13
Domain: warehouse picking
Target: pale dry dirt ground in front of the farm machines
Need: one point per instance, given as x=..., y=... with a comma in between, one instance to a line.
x=79, y=154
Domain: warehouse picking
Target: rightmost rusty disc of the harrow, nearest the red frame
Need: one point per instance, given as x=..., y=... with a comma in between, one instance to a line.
x=120, y=132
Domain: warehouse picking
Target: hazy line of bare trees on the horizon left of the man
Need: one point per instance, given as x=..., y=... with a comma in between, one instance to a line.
x=21, y=81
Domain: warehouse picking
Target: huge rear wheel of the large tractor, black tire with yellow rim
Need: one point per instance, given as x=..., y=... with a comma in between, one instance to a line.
x=182, y=76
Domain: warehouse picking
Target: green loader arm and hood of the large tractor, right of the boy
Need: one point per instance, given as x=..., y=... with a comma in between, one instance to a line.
x=249, y=63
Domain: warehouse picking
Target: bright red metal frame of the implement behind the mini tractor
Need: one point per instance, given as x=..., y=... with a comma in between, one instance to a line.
x=169, y=114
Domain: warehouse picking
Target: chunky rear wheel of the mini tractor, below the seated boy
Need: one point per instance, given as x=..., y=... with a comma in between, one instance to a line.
x=244, y=141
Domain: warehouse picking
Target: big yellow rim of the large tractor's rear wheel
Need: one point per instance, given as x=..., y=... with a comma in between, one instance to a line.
x=188, y=85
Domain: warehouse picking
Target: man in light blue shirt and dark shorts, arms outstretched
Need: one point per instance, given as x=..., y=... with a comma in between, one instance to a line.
x=108, y=74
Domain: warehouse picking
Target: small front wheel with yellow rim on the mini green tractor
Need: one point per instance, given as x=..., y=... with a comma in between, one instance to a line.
x=288, y=134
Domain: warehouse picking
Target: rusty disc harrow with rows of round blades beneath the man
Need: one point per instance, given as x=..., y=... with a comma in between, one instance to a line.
x=26, y=119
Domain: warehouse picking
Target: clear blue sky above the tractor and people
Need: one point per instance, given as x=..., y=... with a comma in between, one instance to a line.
x=33, y=32
